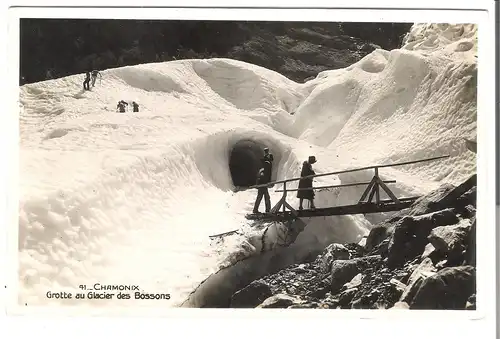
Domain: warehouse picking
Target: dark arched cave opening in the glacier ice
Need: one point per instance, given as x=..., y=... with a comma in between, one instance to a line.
x=245, y=162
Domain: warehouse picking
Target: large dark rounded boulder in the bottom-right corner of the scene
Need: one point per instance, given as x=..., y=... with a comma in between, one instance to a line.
x=449, y=289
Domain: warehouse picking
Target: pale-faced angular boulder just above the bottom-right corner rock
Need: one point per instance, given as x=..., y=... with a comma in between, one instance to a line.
x=451, y=240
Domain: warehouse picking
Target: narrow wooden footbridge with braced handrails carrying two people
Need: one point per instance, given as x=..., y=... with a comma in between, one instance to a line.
x=282, y=211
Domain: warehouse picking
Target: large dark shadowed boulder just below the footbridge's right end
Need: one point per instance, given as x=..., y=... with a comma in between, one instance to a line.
x=410, y=235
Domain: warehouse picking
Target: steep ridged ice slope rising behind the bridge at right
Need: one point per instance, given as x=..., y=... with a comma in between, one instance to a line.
x=401, y=105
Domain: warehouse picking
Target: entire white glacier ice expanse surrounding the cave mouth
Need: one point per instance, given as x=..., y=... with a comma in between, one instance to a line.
x=132, y=198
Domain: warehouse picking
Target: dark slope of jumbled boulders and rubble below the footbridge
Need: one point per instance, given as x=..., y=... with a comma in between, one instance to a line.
x=422, y=258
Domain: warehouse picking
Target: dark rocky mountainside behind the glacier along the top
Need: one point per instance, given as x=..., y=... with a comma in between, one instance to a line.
x=298, y=50
